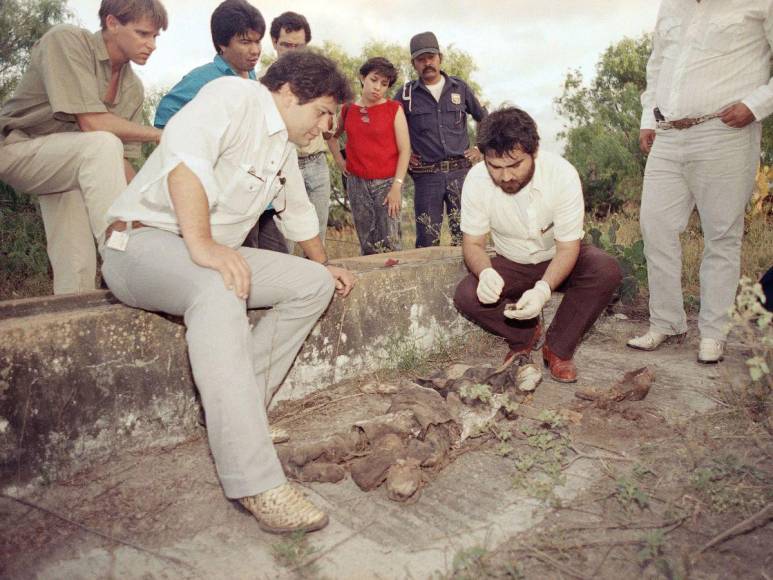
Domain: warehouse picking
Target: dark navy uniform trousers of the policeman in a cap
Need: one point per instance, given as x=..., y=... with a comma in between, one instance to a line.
x=433, y=191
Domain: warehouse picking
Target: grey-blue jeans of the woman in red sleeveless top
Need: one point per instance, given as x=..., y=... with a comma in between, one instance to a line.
x=376, y=230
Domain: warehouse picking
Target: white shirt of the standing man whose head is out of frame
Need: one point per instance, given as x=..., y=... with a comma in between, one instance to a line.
x=707, y=55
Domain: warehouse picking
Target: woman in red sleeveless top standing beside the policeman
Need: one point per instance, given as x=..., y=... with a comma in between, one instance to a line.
x=377, y=152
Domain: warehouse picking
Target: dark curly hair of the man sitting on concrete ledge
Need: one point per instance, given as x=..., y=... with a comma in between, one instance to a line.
x=310, y=76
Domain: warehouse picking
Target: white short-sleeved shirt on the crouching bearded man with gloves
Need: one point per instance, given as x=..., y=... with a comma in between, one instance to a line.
x=525, y=226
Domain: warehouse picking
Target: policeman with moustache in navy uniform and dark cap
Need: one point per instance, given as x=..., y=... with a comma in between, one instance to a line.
x=436, y=106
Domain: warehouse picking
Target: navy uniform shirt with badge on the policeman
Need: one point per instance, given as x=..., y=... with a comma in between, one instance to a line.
x=438, y=128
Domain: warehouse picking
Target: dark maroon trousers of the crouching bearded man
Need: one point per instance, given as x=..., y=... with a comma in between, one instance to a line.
x=587, y=291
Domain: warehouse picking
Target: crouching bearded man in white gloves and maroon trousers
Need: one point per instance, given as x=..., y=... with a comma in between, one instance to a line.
x=531, y=202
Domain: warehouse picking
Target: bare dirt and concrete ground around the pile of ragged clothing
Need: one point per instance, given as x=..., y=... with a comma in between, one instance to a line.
x=666, y=487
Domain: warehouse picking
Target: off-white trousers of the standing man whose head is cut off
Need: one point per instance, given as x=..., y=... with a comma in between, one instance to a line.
x=711, y=167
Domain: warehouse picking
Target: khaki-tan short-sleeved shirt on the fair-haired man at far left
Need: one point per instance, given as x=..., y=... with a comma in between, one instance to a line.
x=69, y=74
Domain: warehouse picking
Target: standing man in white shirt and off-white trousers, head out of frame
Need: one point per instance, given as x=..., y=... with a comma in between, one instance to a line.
x=708, y=88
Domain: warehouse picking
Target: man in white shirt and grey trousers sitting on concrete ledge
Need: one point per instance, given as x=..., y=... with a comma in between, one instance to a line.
x=175, y=246
